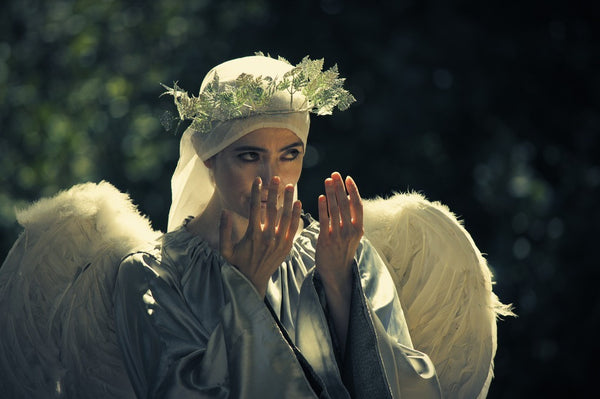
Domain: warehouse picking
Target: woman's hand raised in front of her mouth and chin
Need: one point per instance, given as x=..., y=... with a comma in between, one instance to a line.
x=264, y=246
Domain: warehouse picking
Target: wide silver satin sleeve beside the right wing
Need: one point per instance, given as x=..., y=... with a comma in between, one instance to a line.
x=379, y=361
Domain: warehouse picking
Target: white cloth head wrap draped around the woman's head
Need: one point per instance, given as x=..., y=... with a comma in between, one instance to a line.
x=191, y=185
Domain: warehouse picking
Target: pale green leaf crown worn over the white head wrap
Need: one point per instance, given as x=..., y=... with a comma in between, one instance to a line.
x=249, y=95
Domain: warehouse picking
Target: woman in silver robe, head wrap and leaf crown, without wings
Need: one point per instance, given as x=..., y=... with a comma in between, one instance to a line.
x=245, y=296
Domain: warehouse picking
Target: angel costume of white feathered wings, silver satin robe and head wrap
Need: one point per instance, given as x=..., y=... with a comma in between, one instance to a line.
x=89, y=309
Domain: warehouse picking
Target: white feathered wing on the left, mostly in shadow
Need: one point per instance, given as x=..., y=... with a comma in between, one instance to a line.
x=58, y=334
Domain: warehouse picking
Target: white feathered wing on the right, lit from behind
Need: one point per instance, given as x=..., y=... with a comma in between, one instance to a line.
x=445, y=288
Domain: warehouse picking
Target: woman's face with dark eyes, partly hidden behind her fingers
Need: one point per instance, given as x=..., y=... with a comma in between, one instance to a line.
x=265, y=152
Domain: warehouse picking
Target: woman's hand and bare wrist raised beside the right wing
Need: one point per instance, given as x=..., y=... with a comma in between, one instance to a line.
x=341, y=220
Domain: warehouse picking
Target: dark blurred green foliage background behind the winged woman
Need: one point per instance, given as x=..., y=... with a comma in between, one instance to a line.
x=489, y=107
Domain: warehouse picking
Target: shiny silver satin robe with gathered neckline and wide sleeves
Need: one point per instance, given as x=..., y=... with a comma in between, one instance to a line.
x=190, y=325
